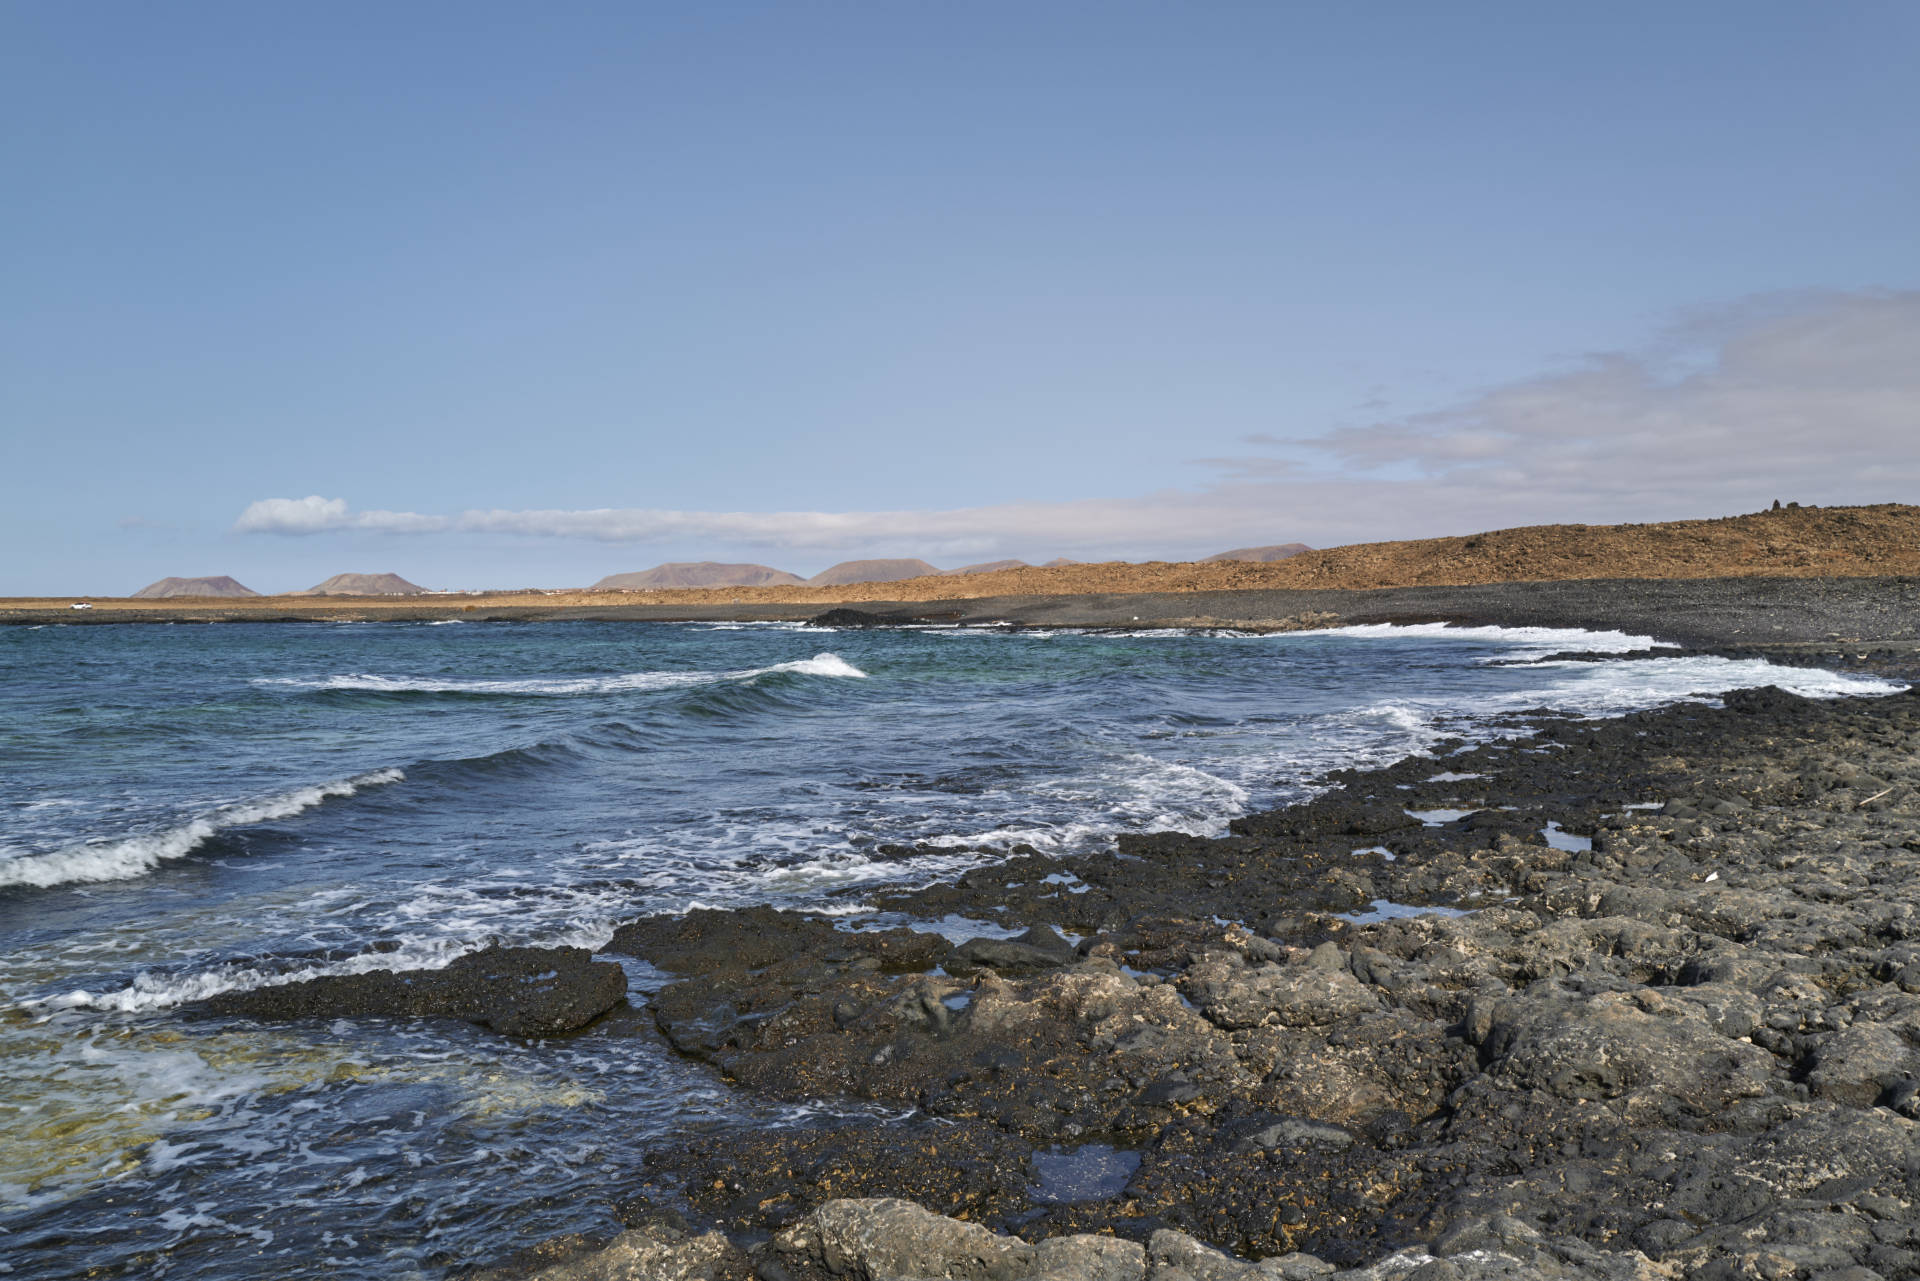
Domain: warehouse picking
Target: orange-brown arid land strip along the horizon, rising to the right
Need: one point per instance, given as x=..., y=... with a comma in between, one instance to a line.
x=1792, y=543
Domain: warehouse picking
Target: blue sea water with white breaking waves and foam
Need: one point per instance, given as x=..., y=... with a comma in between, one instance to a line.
x=193, y=810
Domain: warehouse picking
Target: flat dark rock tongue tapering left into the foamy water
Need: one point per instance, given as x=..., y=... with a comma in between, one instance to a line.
x=521, y=992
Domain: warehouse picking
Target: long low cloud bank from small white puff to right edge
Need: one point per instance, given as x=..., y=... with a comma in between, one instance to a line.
x=1812, y=399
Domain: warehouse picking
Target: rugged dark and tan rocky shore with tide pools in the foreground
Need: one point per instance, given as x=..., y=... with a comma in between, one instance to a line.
x=1648, y=1009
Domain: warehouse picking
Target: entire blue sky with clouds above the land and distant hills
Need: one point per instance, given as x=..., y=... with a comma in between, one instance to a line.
x=510, y=295
